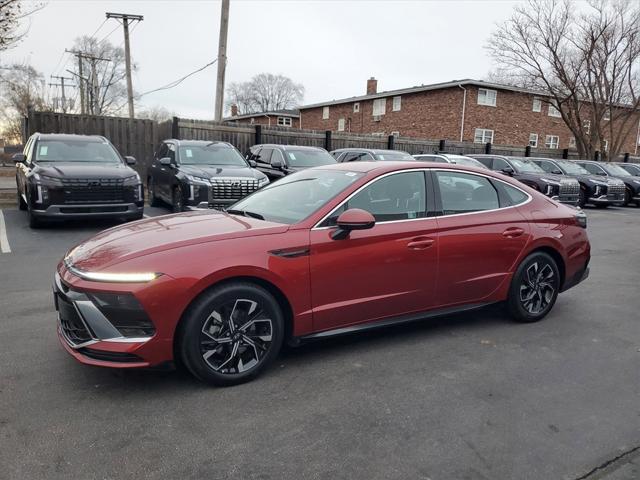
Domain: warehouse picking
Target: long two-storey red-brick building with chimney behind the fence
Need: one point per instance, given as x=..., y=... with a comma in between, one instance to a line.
x=461, y=110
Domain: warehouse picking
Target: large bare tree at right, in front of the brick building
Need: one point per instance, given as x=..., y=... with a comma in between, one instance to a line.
x=587, y=63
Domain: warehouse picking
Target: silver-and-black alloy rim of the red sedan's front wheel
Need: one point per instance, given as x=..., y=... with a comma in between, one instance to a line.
x=236, y=336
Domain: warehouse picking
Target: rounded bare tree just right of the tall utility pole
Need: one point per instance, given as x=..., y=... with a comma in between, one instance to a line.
x=265, y=92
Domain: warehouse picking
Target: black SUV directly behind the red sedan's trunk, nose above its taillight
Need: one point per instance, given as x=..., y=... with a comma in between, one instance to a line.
x=561, y=188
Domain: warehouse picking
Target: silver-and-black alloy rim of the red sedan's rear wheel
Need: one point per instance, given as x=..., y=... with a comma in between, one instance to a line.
x=538, y=287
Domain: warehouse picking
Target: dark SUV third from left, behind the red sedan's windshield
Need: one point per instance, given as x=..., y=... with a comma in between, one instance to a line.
x=277, y=161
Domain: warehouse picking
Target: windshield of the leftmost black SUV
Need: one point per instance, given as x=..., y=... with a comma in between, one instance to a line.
x=75, y=151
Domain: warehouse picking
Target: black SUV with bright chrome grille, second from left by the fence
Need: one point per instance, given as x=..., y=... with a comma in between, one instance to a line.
x=192, y=174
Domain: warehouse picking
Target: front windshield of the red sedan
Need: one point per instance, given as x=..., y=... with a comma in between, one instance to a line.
x=296, y=196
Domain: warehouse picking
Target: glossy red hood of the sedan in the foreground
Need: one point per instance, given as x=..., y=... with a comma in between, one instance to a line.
x=162, y=233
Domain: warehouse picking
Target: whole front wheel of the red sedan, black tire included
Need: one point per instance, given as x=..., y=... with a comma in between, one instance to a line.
x=214, y=348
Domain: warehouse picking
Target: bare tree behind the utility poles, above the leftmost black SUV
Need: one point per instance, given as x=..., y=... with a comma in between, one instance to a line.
x=110, y=95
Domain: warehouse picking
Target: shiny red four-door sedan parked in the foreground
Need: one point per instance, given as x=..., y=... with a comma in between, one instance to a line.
x=325, y=251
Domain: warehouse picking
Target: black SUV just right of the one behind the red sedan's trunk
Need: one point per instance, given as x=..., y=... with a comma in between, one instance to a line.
x=596, y=190
